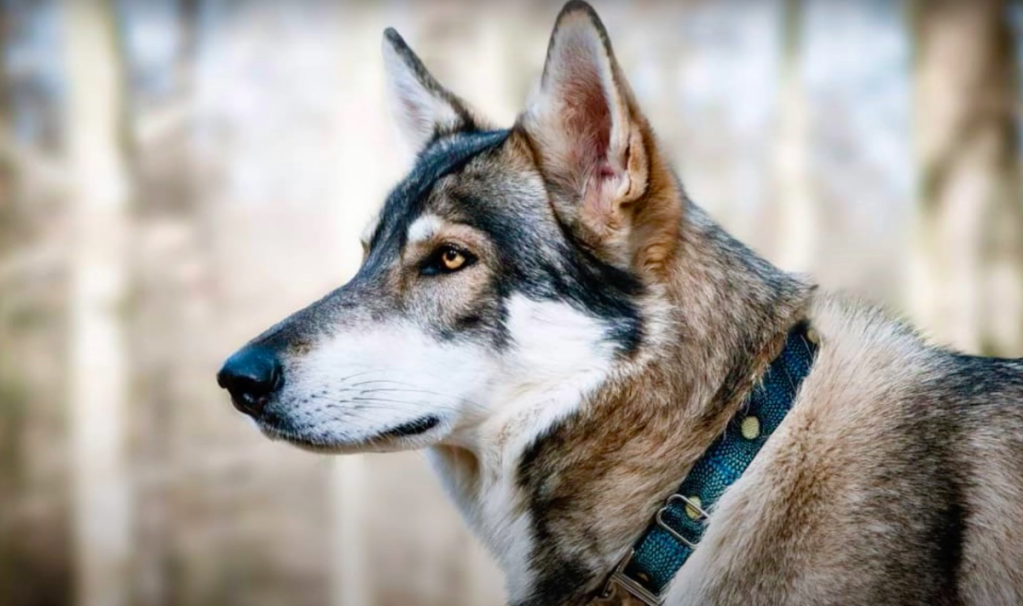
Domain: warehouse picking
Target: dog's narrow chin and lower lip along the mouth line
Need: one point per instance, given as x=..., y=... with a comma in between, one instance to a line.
x=418, y=434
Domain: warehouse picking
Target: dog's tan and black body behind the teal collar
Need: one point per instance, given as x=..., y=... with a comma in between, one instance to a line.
x=898, y=480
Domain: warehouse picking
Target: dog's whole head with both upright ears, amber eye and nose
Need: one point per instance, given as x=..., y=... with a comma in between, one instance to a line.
x=508, y=267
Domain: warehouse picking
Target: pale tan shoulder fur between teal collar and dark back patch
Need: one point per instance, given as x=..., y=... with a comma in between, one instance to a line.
x=804, y=511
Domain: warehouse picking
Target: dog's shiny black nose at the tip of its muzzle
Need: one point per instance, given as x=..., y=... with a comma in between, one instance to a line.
x=252, y=375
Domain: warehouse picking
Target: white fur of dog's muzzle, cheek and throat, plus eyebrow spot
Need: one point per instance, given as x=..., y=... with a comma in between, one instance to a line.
x=495, y=404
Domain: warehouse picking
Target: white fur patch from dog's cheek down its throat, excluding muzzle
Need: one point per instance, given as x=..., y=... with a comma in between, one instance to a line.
x=558, y=356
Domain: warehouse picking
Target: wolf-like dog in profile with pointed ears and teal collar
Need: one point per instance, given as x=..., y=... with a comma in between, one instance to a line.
x=545, y=312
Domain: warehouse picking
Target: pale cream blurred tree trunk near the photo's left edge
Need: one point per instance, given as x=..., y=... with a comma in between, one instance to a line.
x=99, y=385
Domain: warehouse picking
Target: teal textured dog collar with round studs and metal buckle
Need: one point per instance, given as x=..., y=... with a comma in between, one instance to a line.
x=679, y=526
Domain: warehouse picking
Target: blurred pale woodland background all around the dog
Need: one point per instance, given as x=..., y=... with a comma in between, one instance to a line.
x=175, y=176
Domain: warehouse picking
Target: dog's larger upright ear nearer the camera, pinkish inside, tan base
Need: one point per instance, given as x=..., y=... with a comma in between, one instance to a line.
x=597, y=149
